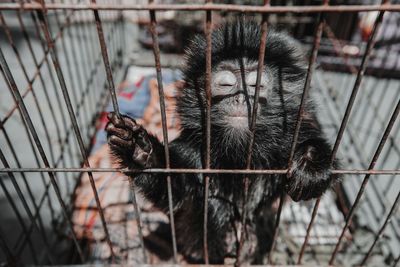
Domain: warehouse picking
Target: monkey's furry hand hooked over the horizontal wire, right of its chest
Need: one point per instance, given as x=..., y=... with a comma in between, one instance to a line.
x=310, y=174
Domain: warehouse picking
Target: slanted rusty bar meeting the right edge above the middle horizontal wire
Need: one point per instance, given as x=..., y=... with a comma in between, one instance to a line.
x=366, y=179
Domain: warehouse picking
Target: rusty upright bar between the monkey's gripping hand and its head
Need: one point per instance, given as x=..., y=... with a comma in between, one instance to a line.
x=156, y=51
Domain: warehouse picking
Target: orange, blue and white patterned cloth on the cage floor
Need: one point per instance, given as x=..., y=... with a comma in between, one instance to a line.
x=137, y=98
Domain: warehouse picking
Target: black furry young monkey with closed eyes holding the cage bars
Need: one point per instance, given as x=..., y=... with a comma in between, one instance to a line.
x=235, y=49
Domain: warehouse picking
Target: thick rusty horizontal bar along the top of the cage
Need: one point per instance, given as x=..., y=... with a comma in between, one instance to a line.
x=204, y=7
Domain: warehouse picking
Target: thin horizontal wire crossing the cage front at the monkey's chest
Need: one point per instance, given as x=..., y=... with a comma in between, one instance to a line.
x=198, y=171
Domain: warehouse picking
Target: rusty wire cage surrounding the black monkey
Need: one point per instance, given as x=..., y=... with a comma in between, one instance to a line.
x=66, y=64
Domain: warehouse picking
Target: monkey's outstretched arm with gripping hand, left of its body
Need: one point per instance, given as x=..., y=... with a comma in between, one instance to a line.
x=134, y=148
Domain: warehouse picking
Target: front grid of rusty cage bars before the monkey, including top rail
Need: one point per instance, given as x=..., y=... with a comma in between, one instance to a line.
x=49, y=48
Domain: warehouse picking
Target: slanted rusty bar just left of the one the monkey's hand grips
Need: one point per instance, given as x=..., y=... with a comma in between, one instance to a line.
x=67, y=99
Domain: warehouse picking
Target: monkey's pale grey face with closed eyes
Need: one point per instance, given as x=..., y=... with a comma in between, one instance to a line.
x=233, y=88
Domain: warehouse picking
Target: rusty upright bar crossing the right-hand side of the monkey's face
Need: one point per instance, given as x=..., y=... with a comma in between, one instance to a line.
x=252, y=126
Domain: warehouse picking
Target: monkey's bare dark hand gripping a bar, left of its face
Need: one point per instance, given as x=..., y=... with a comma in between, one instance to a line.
x=129, y=142
